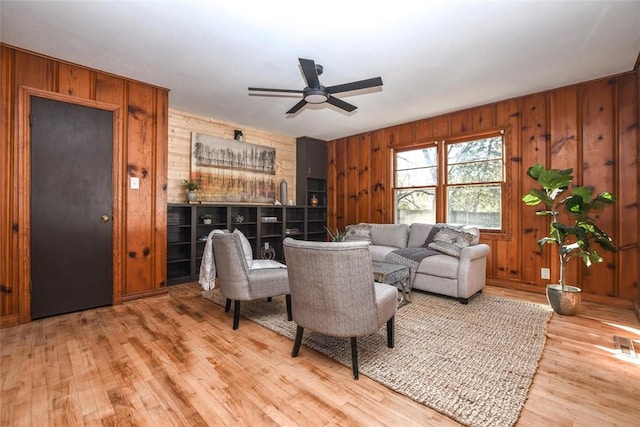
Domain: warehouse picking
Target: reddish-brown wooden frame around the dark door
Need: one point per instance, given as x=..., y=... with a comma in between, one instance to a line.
x=23, y=263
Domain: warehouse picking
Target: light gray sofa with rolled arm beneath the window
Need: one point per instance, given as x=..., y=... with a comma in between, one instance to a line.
x=459, y=277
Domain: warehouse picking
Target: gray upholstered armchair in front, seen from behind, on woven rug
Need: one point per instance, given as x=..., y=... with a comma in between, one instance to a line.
x=333, y=292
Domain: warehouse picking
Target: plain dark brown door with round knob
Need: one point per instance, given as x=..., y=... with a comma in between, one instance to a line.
x=71, y=207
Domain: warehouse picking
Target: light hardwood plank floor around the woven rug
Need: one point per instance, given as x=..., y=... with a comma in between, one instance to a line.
x=174, y=360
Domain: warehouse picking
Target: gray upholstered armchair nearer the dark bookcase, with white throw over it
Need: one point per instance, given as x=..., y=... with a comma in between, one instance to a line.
x=243, y=280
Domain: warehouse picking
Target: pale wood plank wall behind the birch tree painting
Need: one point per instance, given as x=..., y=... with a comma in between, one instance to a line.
x=181, y=125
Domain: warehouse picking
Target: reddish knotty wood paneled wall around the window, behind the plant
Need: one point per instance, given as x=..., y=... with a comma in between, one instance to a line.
x=592, y=127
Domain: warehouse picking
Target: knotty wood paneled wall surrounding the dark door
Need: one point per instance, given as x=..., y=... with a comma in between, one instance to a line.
x=140, y=150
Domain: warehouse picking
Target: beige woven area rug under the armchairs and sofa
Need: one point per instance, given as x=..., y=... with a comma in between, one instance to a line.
x=474, y=363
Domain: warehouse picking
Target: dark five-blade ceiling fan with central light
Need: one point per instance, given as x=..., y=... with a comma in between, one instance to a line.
x=315, y=93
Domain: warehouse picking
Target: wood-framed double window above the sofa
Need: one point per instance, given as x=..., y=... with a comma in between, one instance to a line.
x=459, y=182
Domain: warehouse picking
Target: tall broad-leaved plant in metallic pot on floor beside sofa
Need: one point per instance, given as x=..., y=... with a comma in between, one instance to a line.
x=575, y=237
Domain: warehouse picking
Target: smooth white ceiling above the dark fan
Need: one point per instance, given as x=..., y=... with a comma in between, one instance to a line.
x=434, y=57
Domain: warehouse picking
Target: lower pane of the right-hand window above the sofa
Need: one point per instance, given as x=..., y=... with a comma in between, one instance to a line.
x=479, y=205
